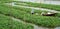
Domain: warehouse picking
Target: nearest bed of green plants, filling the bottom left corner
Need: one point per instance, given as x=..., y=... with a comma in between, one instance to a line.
x=7, y=23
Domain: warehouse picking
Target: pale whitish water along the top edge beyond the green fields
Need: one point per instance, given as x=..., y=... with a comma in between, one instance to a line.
x=41, y=1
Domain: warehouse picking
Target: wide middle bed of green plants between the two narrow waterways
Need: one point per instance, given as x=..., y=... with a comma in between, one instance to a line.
x=23, y=14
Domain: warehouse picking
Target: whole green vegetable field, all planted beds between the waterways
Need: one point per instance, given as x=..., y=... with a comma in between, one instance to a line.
x=25, y=16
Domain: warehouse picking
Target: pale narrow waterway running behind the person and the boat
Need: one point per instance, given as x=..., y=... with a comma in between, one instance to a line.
x=43, y=9
